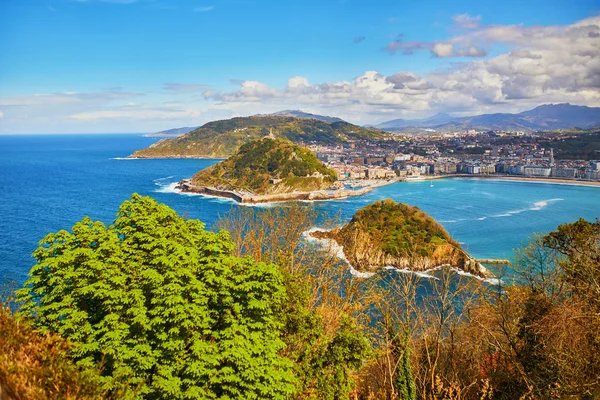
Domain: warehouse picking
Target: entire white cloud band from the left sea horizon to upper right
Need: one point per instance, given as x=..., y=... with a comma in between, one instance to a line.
x=545, y=64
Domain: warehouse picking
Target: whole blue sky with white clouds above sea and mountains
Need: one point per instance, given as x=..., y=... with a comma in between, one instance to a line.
x=108, y=66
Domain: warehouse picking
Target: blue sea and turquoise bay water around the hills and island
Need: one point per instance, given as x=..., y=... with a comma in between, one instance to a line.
x=49, y=182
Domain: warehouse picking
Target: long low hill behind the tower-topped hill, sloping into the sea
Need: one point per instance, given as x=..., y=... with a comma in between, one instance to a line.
x=223, y=138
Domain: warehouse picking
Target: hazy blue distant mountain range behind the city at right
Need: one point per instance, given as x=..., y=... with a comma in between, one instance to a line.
x=542, y=118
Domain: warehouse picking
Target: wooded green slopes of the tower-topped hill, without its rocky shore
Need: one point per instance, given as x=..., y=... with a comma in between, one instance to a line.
x=268, y=166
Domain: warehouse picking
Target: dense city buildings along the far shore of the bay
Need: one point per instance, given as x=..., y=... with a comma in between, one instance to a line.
x=520, y=154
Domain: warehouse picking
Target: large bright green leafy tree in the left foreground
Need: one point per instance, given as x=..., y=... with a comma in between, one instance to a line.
x=163, y=305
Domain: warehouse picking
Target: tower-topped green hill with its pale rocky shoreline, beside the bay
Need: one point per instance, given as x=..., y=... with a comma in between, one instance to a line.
x=269, y=170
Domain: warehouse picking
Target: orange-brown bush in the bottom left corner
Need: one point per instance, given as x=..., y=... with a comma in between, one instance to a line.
x=36, y=366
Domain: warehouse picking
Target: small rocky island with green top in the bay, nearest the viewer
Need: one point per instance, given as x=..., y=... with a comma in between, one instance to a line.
x=398, y=235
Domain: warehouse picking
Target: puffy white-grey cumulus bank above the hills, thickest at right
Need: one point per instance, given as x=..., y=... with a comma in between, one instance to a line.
x=545, y=65
